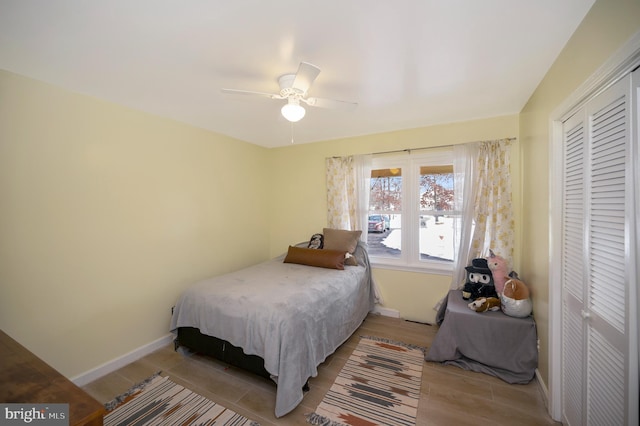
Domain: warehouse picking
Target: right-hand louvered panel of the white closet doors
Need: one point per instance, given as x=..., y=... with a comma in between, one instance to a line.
x=608, y=279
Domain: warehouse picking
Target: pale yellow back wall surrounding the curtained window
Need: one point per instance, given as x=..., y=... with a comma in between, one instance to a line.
x=298, y=200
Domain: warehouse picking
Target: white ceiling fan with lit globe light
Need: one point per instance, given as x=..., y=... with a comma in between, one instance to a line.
x=294, y=89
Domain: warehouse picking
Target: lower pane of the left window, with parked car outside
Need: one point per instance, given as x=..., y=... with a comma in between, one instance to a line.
x=385, y=243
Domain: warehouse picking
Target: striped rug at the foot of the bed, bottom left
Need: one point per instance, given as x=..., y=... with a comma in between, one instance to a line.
x=159, y=401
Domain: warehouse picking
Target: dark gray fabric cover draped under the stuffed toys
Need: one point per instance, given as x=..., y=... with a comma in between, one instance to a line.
x=487, y=342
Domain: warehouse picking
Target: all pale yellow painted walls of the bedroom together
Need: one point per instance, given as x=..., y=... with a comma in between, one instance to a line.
x=108, y=213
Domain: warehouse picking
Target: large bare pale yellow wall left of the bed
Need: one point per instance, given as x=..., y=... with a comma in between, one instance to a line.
x=106, y=214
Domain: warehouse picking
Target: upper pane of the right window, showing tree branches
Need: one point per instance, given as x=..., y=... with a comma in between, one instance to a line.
x=436, y=188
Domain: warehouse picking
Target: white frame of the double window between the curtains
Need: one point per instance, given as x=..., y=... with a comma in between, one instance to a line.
x=410, y=256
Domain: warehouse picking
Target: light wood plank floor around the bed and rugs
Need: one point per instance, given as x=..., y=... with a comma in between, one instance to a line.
x=449, y=395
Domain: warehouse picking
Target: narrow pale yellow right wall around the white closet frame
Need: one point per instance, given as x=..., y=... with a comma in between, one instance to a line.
x=607, y=26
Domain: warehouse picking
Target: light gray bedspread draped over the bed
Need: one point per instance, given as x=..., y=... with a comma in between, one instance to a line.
x=293, y=316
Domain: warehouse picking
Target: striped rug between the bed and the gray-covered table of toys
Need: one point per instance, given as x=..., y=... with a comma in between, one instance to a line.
x=379, y=385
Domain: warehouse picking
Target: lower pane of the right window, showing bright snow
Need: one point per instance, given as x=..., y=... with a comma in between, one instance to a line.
x=437, y=237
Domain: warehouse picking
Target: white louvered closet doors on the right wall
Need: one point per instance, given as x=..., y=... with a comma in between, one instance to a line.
x=599, y=251
